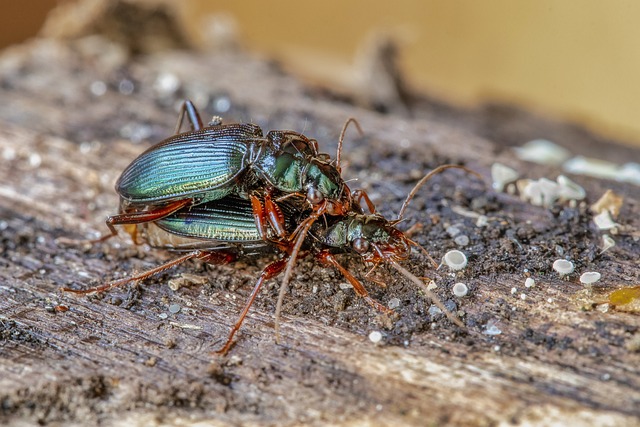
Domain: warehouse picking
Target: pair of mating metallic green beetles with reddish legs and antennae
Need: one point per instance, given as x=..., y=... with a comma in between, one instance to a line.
x=221, y=192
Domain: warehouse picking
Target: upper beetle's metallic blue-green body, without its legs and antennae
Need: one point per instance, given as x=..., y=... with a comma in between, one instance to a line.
x=215, y=161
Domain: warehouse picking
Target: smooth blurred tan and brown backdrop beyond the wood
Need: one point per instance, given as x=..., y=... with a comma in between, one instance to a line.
x=576, y=60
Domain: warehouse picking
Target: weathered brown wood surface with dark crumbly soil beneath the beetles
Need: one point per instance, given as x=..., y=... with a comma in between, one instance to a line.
x=124, y=358
